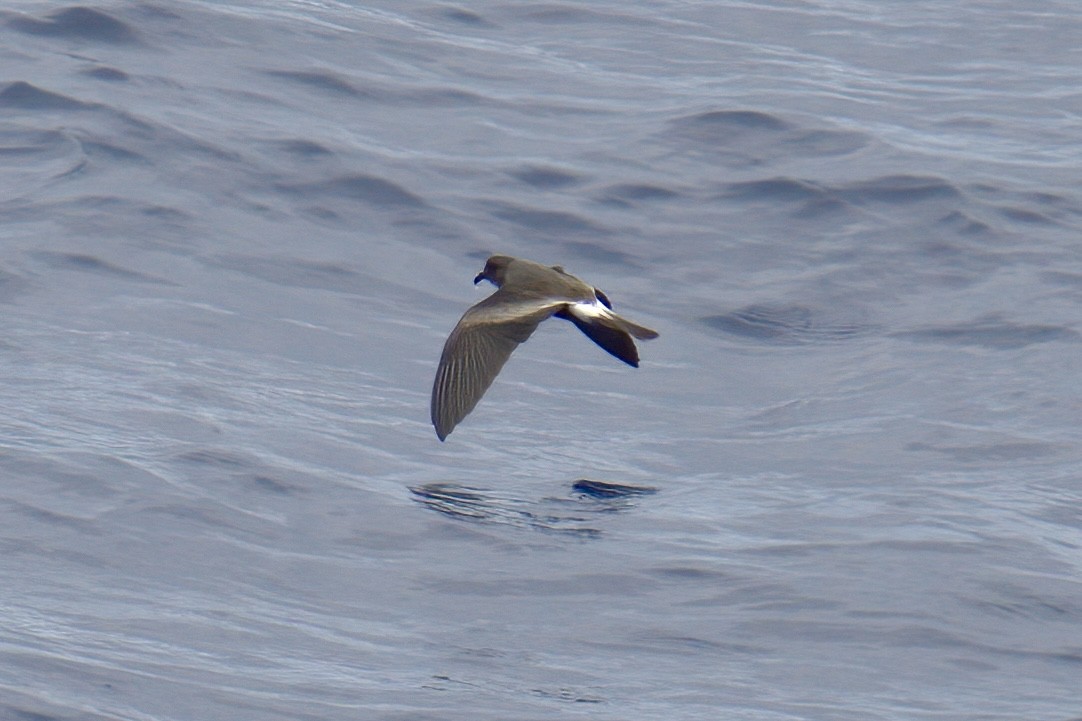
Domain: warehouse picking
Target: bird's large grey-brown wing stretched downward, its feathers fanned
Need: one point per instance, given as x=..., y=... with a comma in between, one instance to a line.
x=476, y=352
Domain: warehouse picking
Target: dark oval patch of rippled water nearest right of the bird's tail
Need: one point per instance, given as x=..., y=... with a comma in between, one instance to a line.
x=786, y=325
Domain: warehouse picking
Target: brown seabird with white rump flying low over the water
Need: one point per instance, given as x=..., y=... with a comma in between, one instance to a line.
x=527, y=294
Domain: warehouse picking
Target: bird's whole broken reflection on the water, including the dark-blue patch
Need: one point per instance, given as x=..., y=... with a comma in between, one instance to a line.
x=575, y=515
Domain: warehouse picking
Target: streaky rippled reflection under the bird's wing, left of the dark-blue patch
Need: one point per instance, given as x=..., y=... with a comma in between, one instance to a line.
x=479, y=506
